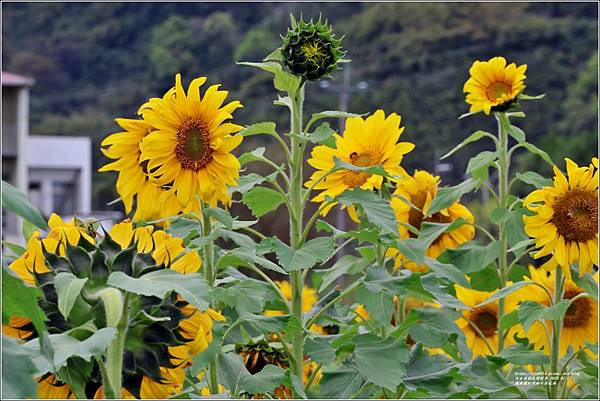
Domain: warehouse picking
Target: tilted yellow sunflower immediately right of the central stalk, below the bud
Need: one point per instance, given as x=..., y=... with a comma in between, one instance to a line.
x=365, y=143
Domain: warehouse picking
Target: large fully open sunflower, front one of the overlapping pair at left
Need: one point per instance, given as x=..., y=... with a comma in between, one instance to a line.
x=190, y=148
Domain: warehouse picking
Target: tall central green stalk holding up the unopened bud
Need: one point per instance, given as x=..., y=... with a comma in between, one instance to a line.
x=298, y=144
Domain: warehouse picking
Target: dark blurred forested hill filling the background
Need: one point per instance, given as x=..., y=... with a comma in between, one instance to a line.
x=96, y=61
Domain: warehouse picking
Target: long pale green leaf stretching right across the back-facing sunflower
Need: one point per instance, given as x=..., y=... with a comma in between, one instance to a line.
x=192, y=287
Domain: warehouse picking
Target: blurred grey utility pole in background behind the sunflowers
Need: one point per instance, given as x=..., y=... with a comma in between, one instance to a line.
x=344, y=91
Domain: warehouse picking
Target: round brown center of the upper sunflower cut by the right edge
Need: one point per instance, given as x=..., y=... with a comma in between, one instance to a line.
x=576, y=215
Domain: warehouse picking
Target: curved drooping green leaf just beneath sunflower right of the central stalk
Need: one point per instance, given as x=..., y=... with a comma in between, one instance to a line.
x=378, y=211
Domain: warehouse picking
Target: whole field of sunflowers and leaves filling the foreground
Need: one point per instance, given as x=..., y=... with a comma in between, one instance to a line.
x=417, y=299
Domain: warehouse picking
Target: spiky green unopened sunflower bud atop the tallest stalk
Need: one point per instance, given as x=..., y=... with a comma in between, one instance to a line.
x=310, y=50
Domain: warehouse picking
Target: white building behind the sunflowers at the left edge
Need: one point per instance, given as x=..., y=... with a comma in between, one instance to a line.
x=54, y=171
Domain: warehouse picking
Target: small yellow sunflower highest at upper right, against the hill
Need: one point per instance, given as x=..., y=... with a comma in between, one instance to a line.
x=493, y=85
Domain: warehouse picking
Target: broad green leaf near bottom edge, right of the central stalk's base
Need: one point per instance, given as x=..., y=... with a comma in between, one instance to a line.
x=381, y=361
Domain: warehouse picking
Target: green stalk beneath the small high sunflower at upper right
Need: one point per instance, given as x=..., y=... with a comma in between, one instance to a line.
x=503, y=167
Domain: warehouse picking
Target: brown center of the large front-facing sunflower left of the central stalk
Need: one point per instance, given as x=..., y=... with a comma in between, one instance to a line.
x=193, y=149
